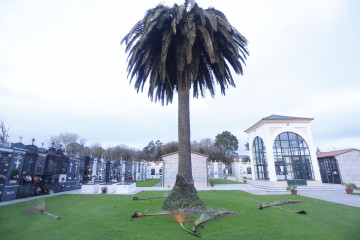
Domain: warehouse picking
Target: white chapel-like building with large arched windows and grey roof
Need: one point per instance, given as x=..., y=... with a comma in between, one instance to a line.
x=282, y=152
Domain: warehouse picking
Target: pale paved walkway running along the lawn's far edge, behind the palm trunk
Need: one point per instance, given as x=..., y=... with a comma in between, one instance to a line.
x=337, y=195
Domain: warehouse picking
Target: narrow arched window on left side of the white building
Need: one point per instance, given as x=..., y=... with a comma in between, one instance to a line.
x=260, y=163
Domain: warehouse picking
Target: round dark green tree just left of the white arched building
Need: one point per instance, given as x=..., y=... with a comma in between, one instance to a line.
x=228, y=144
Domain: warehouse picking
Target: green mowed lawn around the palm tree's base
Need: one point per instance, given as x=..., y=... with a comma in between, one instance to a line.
x=105, y=216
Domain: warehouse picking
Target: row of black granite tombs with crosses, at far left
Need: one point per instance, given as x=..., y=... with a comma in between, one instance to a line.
x=26, y=170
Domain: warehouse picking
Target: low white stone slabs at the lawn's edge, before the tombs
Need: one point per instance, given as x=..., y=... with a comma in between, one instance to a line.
x=111, y=188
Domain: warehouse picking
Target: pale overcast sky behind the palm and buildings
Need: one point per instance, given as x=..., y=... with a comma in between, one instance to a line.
x=62, y=69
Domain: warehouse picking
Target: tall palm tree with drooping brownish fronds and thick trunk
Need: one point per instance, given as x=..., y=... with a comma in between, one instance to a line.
x=177, y=49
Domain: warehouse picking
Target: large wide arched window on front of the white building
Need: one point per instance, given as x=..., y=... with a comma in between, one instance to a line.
x=292, y=159
